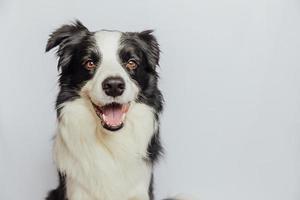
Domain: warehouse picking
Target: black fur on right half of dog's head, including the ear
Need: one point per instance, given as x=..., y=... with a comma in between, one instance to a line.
x=143, y=48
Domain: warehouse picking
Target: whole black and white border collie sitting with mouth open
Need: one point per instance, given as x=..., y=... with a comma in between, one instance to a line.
x=108, y=107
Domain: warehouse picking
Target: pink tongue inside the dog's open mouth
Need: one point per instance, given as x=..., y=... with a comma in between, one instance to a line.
x=113, y=115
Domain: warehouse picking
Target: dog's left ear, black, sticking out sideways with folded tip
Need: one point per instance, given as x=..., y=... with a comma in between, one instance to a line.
x=60, y=35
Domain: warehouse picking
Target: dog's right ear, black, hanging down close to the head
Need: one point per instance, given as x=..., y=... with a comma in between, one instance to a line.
x=153, y=51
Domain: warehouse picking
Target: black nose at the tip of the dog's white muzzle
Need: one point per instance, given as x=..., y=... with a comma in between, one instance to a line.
x=113, y=86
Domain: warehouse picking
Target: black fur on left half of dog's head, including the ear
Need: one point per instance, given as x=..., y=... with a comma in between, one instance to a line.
x=76, y=44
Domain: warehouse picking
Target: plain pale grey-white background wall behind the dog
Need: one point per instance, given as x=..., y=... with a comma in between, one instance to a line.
x=230, y=73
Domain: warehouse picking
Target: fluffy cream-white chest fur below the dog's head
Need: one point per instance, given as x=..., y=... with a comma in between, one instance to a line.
x=102, y=166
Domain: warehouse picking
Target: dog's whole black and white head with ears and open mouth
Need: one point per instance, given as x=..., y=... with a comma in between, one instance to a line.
x=110, y=68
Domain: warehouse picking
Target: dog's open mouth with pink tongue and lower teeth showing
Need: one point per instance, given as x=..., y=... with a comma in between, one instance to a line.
x=112, y=115
